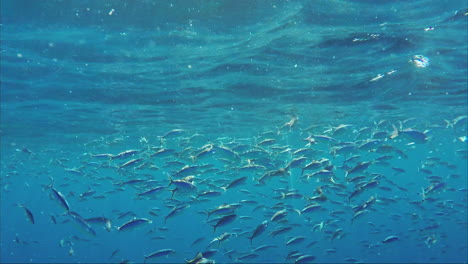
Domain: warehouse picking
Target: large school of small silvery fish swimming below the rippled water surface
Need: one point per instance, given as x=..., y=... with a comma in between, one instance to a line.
x=288, y=195
